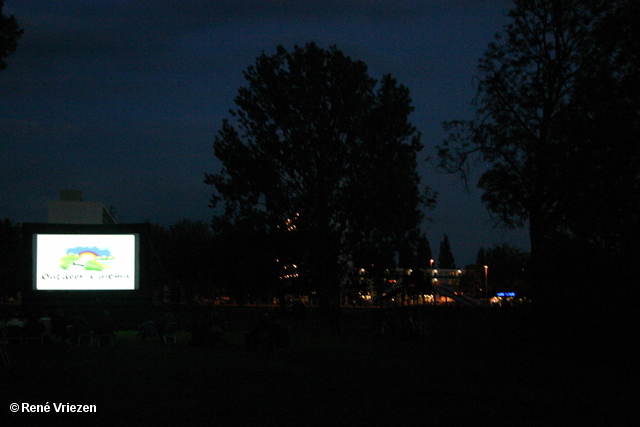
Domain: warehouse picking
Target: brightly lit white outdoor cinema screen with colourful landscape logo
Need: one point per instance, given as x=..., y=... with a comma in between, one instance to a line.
x=86, y=261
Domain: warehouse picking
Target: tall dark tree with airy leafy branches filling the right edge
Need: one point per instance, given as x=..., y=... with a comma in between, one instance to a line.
x=557, y=122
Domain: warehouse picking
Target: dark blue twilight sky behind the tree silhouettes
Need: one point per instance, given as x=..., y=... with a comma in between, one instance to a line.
x=122, y=99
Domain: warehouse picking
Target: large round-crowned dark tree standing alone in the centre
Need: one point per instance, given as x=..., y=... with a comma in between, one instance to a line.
x=316, y=138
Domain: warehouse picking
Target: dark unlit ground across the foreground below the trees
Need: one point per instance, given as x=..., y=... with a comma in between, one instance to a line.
x=476, y=368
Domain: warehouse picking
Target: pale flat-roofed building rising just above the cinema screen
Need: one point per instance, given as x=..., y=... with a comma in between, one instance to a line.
x=71, y=209
